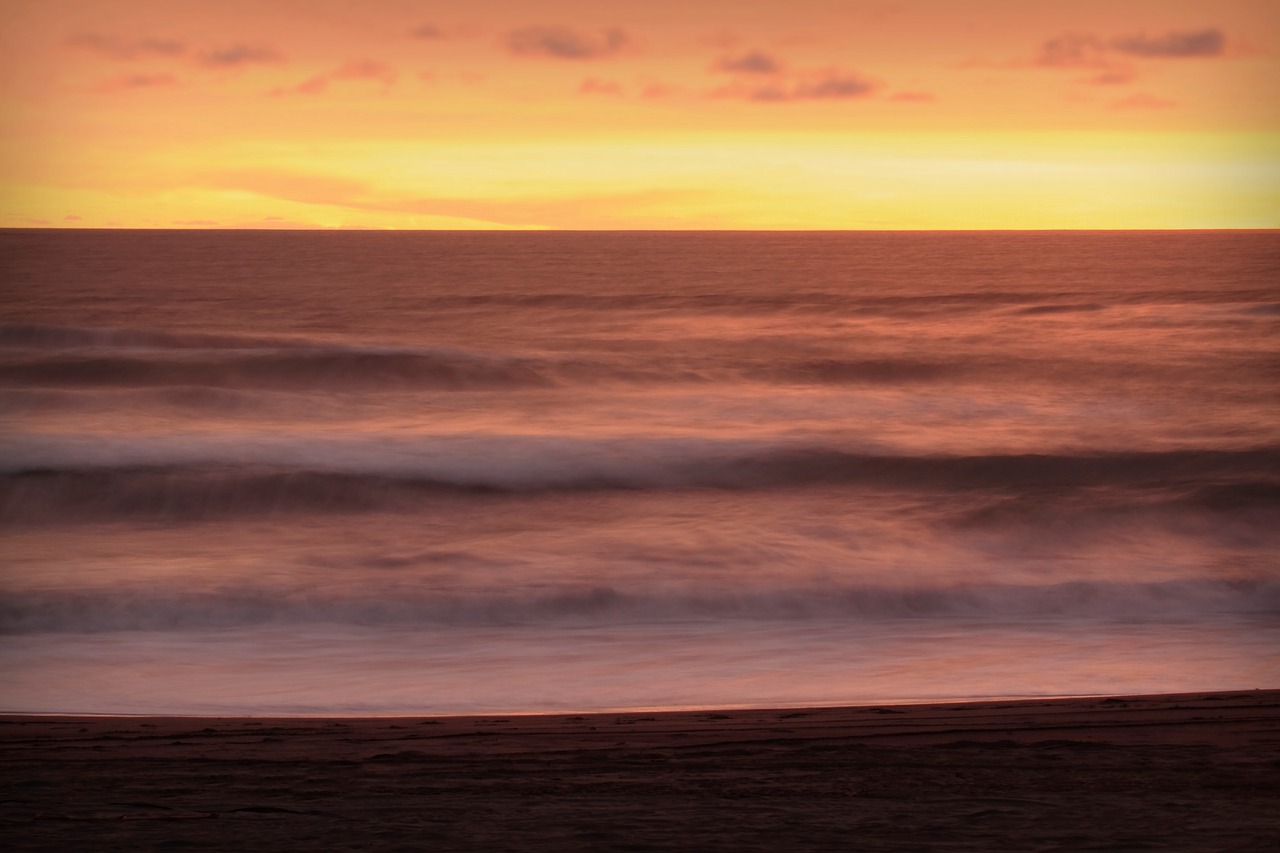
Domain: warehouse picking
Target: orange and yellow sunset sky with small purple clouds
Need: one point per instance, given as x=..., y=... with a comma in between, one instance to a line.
x=641, y=115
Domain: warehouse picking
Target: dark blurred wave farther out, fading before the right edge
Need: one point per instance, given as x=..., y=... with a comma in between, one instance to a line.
x=75, y=358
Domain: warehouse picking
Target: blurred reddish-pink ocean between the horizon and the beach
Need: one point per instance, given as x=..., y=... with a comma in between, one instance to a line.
x=391, y=473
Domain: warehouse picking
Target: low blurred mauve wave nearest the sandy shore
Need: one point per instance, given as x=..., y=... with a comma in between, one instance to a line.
x=150, y=610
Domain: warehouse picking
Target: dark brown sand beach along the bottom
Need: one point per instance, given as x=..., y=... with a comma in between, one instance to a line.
x=1163, y=773
